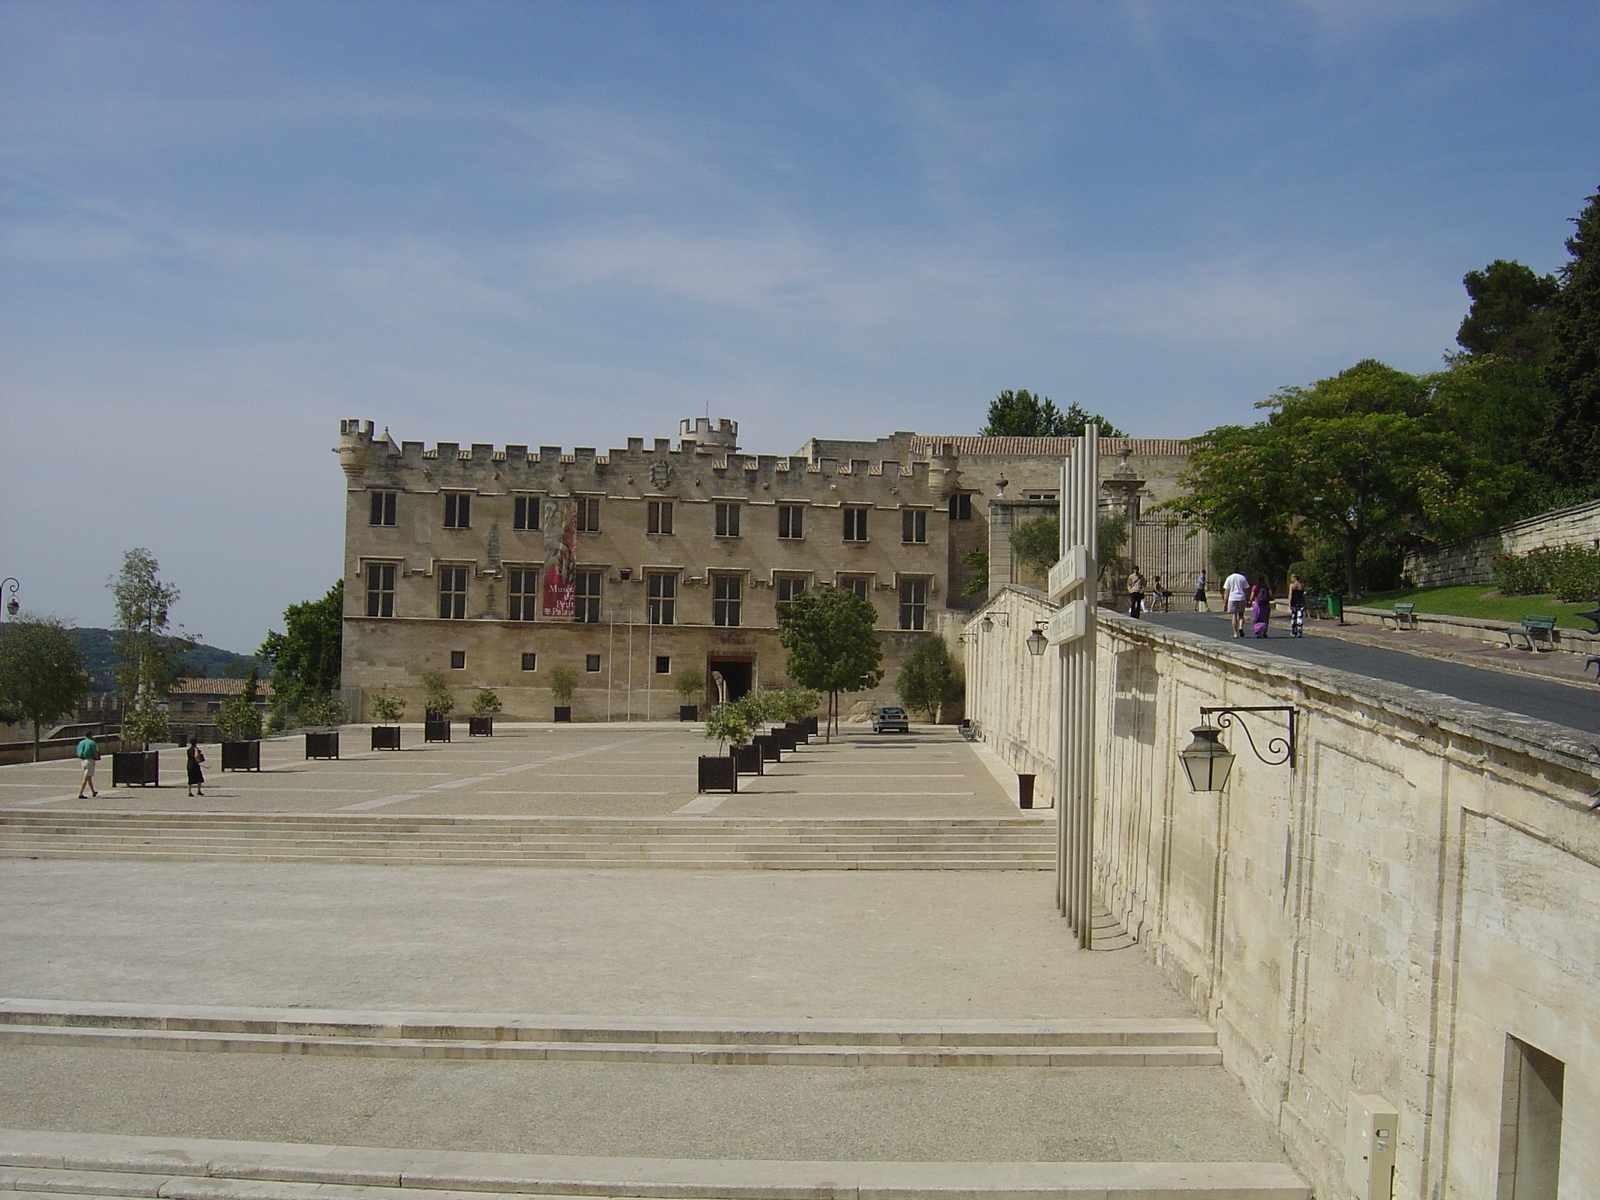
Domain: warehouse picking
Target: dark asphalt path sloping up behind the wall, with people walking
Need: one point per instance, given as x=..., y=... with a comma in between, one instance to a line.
x=1575, y=708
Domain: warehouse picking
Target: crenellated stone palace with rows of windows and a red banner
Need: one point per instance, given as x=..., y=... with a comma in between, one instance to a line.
x=498, y=566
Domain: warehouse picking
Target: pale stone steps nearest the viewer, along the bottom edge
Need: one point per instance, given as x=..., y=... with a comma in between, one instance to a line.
x=190, y=1169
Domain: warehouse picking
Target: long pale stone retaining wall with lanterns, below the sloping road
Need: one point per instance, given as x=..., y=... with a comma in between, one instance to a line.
x=1386, y=918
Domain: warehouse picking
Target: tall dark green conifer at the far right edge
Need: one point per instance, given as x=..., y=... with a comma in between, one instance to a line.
x=1574, y=370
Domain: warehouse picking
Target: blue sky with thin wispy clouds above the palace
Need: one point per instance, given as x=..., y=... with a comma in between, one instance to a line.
x=230, y=225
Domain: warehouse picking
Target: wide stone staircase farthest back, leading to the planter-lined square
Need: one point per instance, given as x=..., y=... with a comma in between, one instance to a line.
x=873, y=844
